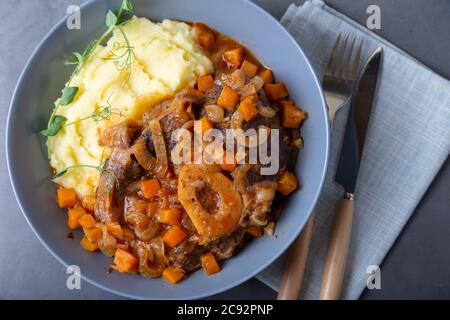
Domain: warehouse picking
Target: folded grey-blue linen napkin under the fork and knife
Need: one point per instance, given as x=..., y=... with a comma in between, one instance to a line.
x=408, y=141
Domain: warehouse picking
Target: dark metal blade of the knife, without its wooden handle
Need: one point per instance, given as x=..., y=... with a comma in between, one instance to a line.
x=357, y=123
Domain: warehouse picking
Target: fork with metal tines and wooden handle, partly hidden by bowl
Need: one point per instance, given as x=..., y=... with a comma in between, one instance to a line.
x=338, y=84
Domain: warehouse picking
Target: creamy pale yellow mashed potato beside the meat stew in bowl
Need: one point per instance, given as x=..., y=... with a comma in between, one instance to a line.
x=167, y=58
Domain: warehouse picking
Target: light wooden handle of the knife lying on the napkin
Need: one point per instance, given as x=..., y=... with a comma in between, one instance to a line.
x=333, y=273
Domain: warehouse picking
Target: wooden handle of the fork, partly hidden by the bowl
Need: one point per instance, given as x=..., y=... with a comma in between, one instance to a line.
x=295, y=265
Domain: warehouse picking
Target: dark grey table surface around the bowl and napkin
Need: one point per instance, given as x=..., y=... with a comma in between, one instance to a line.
x=417, y=265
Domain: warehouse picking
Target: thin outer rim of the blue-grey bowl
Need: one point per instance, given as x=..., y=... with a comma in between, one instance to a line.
x=19, y=198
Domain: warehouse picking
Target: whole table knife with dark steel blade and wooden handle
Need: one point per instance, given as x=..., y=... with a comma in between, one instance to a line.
x=346, y=176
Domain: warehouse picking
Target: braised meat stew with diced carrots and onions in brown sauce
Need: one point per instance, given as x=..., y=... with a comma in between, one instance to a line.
x=162, y=218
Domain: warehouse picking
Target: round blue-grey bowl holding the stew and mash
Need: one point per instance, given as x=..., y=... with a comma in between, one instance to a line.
x=40, y=84
